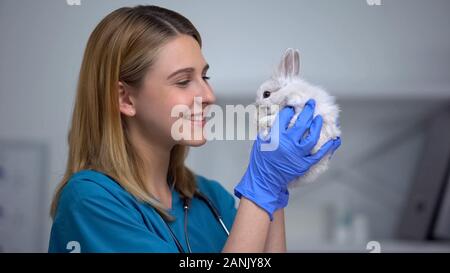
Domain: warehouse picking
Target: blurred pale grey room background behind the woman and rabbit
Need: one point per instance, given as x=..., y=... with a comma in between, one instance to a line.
x=387, y=63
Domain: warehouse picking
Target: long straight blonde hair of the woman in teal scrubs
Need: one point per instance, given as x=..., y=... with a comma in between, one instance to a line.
x=122, y=47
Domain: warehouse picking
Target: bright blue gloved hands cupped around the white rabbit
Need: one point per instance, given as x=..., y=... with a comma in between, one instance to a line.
x=270, y=171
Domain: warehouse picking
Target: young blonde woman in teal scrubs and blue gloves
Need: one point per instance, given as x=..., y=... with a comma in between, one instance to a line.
x=126, y=188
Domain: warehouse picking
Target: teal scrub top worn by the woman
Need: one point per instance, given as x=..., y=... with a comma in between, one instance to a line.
x=95, y=214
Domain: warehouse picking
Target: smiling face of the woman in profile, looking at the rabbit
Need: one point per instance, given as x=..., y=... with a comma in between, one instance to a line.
x=170, y=106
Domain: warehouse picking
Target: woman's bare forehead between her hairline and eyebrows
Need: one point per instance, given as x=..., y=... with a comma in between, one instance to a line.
x=180, y=52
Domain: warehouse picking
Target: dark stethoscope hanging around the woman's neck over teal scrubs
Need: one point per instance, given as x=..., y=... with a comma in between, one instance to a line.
x=186, y=203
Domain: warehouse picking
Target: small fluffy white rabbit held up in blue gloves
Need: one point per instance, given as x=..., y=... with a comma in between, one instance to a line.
x=285, y=87
